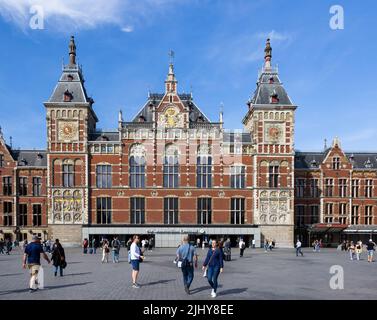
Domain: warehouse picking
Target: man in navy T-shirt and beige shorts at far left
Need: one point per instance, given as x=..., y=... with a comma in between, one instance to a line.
x=32, y=259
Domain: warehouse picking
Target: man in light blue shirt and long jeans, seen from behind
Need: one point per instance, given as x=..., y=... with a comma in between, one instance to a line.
x=187, y=258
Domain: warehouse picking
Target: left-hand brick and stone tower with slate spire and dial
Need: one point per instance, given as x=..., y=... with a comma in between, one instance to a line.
x=70, y=120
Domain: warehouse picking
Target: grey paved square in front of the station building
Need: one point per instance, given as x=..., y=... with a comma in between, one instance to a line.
x=258, y=275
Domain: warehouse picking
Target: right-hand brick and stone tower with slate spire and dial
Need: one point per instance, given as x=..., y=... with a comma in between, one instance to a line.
x=270, y=121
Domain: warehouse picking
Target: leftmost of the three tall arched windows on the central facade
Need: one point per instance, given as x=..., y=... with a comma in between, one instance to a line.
x=137, y=166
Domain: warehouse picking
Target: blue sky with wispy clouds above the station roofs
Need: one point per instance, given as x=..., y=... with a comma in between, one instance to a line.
x=218, y=45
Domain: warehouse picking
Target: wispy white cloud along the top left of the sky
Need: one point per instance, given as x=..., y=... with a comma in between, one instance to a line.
x=61, y=15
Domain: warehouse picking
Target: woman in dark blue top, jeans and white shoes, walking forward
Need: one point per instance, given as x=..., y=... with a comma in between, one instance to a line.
x=214, y=264
